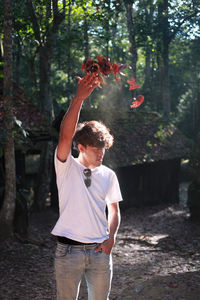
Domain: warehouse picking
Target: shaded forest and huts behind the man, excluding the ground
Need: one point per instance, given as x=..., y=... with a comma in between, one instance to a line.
x=48, y=42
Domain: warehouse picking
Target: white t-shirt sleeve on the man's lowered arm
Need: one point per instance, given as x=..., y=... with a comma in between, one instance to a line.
x=114, y=192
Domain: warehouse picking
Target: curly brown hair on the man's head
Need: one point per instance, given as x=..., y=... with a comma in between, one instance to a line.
x=93, y=133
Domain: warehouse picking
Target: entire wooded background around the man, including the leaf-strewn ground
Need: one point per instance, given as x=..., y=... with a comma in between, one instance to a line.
x=156, y=152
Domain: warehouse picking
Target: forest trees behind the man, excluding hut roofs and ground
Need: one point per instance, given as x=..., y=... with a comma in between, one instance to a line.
x=44, y=43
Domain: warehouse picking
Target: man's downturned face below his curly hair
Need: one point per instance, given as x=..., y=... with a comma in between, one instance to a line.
x=92, y=157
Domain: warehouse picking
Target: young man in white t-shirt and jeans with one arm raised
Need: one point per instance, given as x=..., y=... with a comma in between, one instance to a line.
x=85, y=187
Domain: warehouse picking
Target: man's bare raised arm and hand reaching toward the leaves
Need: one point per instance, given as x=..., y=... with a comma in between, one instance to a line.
x=70, y=120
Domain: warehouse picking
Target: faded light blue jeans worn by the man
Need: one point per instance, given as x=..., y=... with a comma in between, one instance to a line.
x=72, y=262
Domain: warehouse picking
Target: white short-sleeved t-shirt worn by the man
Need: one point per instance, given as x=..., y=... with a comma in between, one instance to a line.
x=82, y=209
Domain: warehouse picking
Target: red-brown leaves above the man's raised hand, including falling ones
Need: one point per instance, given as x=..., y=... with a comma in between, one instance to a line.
x=102, y=67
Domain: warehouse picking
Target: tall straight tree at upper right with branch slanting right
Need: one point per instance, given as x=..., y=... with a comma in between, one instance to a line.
x=172, y=16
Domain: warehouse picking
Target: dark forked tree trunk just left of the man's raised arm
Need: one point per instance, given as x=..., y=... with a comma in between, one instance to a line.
x=45, y=38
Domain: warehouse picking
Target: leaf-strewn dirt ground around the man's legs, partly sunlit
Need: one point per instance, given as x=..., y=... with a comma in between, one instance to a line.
x=157, y=256
